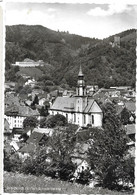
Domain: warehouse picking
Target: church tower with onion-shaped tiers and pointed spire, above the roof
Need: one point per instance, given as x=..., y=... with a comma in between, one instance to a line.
x=81, y=88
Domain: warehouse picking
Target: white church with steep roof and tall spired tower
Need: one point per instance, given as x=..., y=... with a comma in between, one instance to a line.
x=80, y=109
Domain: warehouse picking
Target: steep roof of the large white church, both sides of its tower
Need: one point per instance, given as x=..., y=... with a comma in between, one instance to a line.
x=69, y=104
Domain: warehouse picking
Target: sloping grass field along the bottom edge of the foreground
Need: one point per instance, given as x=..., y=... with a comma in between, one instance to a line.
x=20, y=183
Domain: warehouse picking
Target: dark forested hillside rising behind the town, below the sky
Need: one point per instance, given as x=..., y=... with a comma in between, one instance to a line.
x=62, y=53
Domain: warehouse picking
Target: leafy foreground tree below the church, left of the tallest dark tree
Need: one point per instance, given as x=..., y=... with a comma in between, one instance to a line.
x=62, y=145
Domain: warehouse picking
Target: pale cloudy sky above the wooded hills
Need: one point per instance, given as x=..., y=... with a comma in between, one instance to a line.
x=97, y=19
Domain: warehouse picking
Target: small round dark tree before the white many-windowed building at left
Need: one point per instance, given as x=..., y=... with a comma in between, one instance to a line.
x=30, y=122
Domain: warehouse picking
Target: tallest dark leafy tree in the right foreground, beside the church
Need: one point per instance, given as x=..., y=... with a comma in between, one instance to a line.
x=108, y=148
